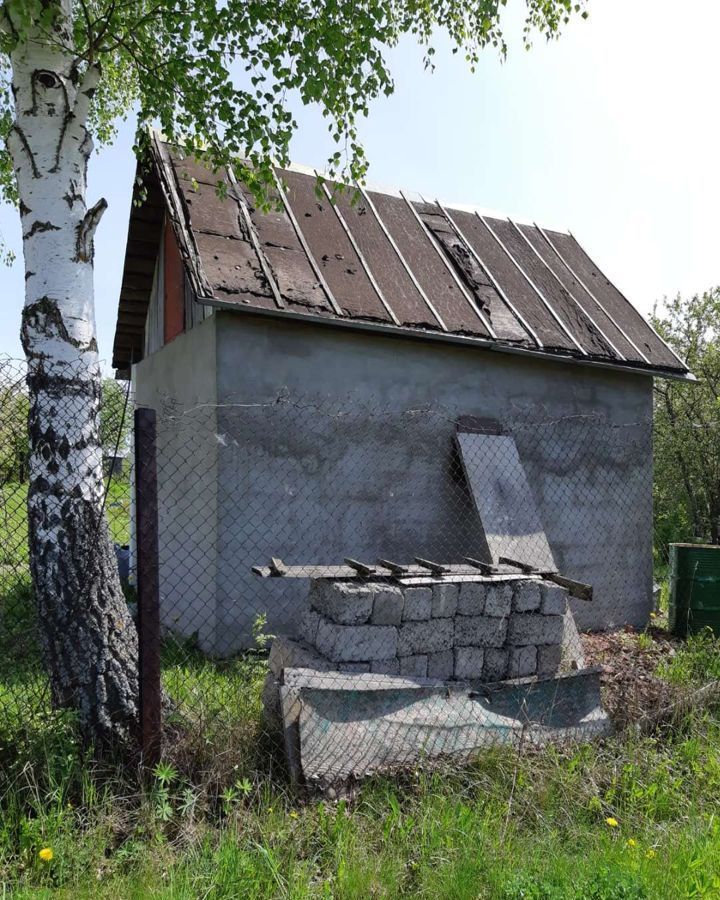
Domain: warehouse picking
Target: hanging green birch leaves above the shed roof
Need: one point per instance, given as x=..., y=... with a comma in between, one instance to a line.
x=218, y=75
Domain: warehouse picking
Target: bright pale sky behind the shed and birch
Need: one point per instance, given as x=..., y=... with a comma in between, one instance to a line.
x=610, y=132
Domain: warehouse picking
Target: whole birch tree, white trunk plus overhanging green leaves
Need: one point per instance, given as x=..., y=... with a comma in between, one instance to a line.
x=216, y=76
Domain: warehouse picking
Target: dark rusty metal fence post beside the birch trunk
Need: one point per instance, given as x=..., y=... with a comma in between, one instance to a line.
x=148, y=586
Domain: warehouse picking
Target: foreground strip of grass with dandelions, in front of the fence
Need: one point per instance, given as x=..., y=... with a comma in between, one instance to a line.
x=444, y=834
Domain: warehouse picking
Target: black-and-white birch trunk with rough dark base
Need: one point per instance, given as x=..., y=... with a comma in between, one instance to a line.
x=88, y=638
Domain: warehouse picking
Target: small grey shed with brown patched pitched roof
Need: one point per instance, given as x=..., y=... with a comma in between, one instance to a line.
x=310, y=364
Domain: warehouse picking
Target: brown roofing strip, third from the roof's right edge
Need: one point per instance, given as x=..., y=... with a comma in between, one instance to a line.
x=582, y=328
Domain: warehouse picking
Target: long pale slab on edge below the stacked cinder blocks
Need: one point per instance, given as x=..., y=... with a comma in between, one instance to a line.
x=339, y=727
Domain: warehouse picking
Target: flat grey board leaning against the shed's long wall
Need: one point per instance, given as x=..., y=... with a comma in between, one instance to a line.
x=503, y=499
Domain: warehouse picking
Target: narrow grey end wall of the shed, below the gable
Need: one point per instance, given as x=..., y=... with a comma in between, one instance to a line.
x=179, y=381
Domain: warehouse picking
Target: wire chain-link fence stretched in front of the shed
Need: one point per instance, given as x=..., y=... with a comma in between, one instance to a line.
x=366, y=586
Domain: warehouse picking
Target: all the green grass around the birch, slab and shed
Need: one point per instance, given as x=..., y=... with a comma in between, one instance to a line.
x=217, y=818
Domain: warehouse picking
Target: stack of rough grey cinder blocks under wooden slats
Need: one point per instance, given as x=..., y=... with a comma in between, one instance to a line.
x=475, y=630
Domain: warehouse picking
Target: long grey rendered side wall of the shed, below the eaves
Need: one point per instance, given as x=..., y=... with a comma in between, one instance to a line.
x=335, y=443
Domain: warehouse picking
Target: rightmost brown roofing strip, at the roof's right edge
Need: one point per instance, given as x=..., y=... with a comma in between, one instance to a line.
x=617, y=306
